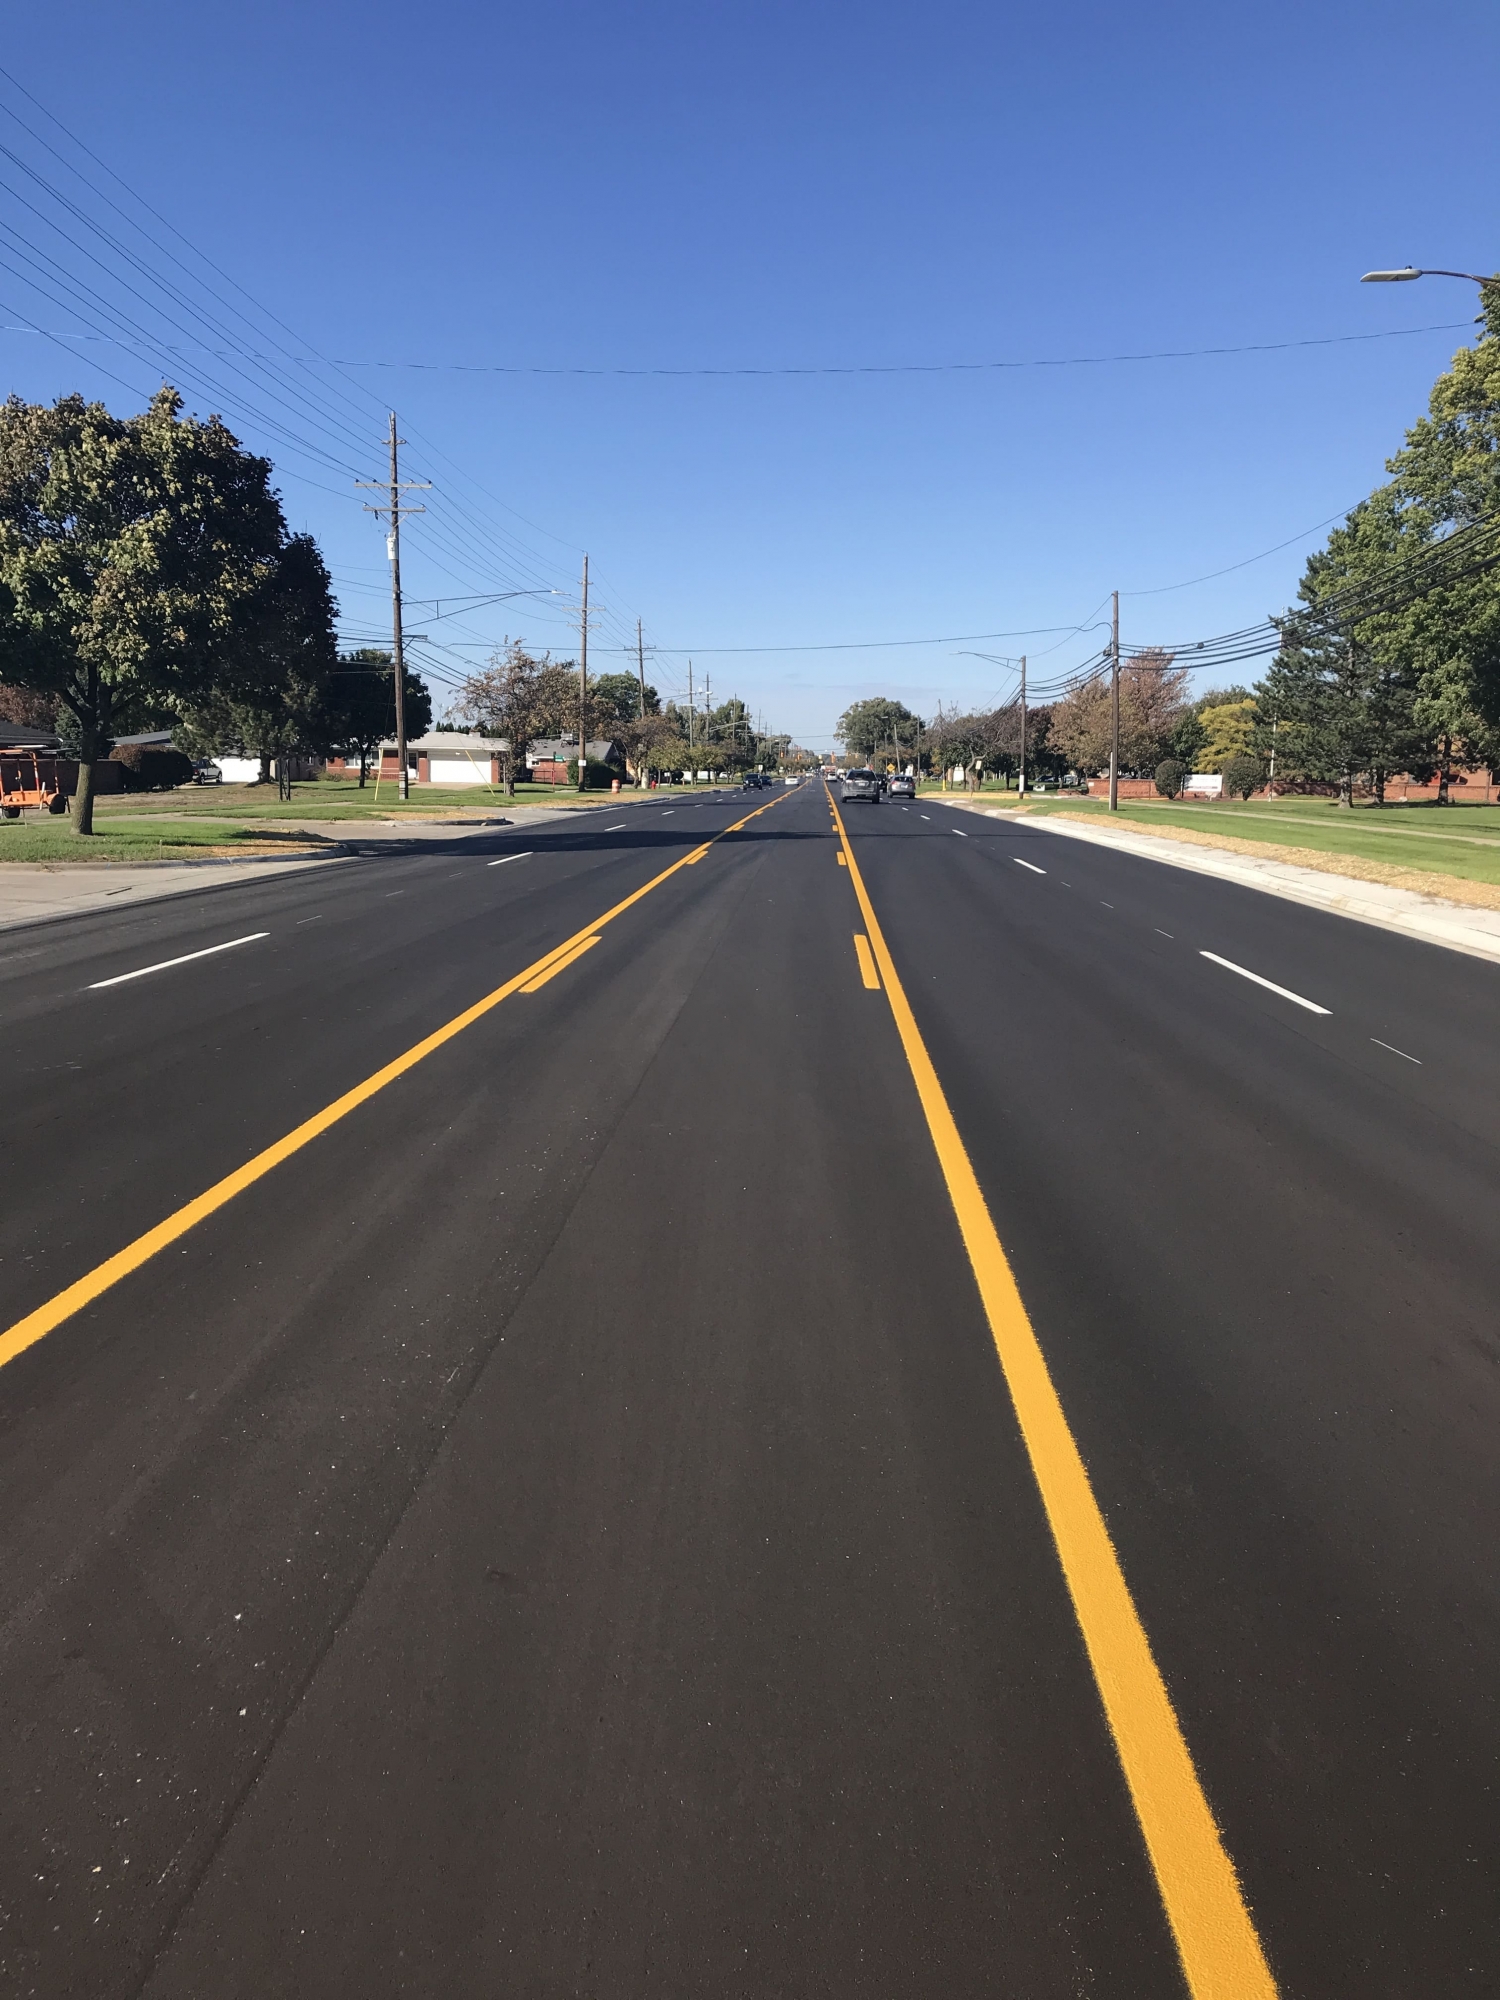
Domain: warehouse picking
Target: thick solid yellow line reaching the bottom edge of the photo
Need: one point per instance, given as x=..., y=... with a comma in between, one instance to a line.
x=1205, y=1907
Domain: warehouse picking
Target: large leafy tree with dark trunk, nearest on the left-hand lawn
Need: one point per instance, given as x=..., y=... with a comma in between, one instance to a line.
x=137, y=555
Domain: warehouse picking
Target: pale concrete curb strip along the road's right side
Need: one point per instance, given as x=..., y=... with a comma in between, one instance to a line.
x=1455, y=925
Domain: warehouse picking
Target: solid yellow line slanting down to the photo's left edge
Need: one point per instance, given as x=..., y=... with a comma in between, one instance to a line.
x=107, y=1275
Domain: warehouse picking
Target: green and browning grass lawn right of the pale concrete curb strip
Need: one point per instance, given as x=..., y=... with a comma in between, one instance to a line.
x=1459, y=841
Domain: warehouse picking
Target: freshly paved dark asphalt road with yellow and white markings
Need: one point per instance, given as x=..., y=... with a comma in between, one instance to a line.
x=583, y=1491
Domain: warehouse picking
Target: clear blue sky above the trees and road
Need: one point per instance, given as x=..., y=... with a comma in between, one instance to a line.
x=799, y=185
